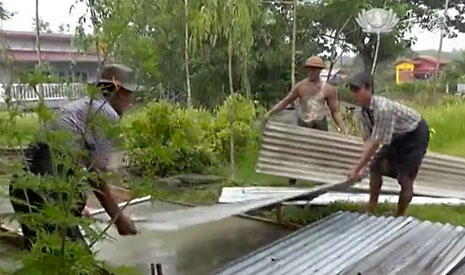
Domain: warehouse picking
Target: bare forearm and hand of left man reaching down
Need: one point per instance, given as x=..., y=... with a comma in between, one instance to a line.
x=124, y=225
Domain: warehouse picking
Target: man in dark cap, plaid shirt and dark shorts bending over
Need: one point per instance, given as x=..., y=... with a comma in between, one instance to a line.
x=403, y=134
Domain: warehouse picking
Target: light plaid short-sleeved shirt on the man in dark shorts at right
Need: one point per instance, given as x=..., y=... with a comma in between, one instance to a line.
x=385, y=118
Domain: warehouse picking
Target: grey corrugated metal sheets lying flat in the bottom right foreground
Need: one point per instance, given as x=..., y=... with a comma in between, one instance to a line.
x=349, y=243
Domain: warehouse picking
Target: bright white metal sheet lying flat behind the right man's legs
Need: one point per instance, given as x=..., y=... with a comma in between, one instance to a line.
x=241, y=194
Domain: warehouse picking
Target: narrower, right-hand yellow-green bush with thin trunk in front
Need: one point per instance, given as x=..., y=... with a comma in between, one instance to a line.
x=236, y=114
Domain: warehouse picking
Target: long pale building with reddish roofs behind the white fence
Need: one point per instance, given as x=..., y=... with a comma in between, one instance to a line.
x=57, y=50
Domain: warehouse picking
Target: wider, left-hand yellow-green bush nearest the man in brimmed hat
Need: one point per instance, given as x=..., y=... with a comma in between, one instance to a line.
x=164, y=138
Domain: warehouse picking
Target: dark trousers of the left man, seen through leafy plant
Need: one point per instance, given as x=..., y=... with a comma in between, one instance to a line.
x=39, y=162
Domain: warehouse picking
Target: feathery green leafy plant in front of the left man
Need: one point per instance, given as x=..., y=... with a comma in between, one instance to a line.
x=61, y=189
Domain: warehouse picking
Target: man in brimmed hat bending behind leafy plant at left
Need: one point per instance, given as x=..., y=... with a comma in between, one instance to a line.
x=76, y=118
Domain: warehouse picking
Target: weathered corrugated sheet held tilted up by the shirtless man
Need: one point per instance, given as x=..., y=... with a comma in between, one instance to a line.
x=323, y=157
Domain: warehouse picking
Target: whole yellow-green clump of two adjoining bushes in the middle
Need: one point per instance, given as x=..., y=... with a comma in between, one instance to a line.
x=165, y=138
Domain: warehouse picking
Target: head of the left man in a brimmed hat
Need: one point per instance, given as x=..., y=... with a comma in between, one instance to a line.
x=116, y=86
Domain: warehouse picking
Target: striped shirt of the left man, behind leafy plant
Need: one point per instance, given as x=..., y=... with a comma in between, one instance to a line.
x=85, y=123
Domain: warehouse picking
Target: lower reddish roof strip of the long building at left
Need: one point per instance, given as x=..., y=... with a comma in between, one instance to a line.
x=31, y=56
